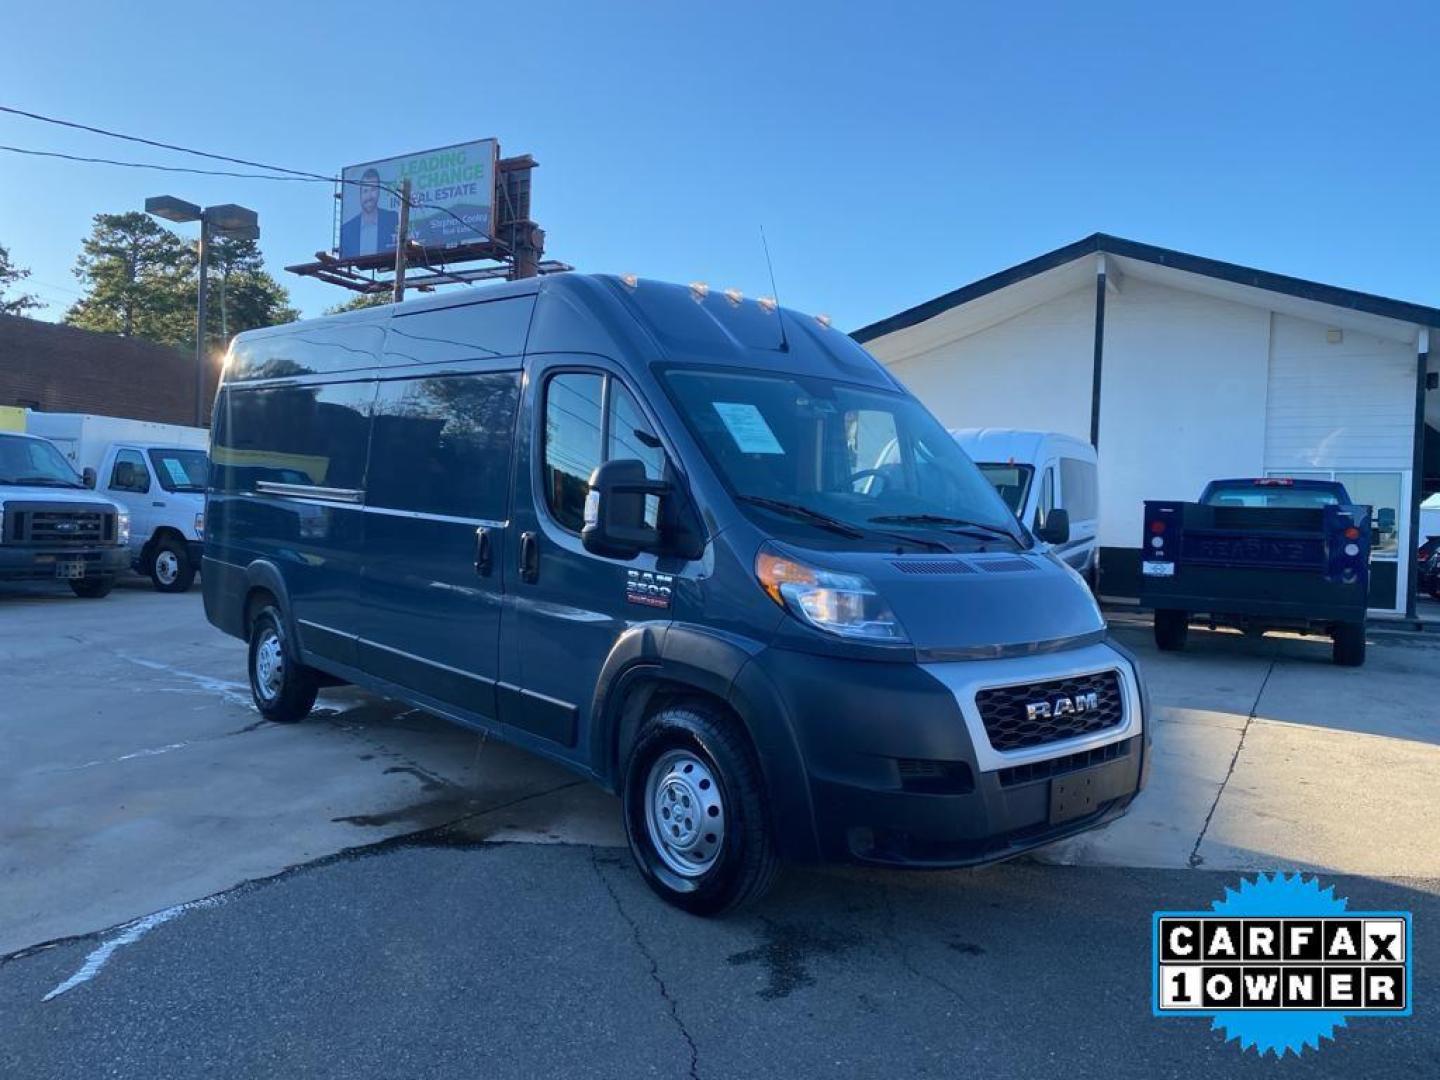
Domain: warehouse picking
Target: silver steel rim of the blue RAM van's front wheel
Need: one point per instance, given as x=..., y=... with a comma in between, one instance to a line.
x=685, y=814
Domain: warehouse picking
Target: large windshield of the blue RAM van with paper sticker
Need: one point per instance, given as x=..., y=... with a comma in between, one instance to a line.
x=836, y=459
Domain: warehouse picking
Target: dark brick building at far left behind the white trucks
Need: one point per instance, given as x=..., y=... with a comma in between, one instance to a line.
x=63, y=369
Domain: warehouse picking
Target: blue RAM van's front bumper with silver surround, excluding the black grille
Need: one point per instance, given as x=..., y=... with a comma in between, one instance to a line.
x=901, y=773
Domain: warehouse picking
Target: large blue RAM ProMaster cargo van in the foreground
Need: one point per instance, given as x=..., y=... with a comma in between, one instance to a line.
x=660, y=535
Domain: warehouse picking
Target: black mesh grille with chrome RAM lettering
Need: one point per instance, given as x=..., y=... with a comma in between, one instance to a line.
x=1062, y=711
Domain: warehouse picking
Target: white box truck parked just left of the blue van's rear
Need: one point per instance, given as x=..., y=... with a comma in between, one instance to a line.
x=158, y=472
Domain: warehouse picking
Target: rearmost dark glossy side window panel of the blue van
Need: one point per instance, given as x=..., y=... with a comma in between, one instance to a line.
x=316, y=436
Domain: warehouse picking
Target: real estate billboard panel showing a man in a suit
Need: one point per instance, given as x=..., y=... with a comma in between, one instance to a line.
x=453, y=199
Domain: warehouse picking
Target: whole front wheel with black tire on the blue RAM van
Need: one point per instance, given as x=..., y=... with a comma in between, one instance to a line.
x=737, y=868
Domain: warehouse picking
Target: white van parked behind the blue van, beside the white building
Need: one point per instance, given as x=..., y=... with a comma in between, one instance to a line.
x=1038, y=472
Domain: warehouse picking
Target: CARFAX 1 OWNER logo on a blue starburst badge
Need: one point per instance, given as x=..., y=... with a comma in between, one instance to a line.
x=1281, y=964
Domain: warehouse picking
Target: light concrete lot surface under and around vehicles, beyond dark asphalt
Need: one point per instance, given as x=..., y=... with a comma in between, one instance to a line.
x=135, y=774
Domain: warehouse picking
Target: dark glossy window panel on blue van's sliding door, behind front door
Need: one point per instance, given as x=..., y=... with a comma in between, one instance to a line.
x=441, y=446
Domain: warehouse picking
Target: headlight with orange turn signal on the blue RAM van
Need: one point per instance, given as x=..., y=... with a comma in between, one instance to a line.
x=842, y=604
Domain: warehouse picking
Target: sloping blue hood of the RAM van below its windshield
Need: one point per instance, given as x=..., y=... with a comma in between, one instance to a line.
x=976, y=606
